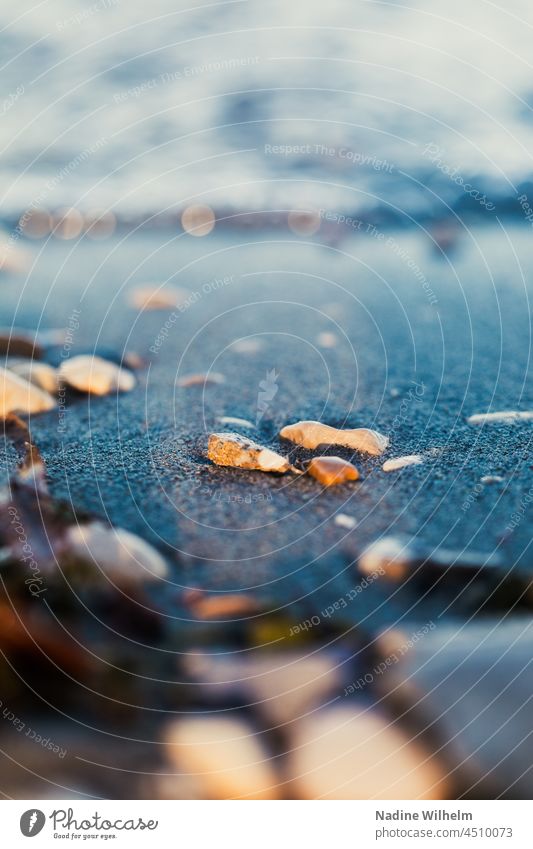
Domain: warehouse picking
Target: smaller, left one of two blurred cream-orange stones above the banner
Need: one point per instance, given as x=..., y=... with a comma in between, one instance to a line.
x=224, y=754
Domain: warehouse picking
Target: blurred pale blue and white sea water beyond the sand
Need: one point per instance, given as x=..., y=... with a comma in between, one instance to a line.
x=349, y=104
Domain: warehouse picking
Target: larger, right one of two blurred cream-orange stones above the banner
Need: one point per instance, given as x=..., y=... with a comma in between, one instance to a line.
x=346, y=753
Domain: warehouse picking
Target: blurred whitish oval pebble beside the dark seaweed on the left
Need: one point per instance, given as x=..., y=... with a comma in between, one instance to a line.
x=124, y=557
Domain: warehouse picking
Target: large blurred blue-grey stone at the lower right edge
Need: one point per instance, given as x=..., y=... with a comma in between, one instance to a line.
x=473, y=688
